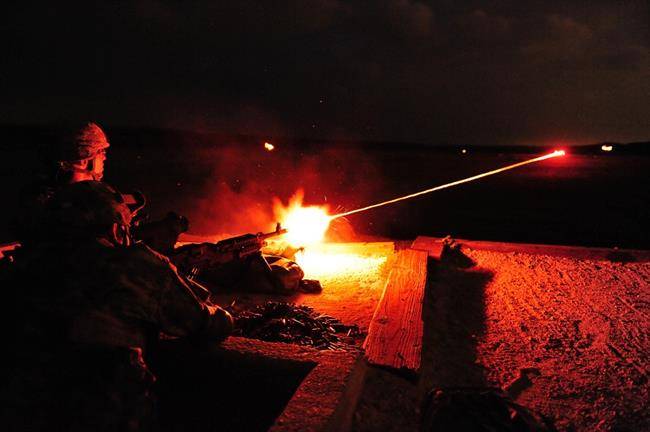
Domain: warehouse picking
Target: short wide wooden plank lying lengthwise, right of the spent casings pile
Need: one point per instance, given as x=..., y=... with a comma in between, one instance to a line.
x=395, y=335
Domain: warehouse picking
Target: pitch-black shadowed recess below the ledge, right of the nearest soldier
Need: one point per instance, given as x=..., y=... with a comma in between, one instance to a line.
x=204, y=390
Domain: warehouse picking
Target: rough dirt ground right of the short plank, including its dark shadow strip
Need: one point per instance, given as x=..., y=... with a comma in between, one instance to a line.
x=567, y=337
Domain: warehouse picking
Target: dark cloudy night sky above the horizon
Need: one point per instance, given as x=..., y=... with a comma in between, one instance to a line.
x=452, y=72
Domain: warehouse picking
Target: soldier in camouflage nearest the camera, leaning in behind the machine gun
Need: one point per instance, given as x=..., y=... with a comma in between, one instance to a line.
x=96, y=302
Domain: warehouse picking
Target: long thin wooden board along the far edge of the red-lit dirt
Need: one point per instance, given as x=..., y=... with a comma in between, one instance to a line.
x=578, y=252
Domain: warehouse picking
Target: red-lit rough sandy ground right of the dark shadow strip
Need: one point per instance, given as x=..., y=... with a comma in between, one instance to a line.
x=582, y=325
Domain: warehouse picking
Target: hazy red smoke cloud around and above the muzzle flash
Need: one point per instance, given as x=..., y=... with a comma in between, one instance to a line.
x=242, y=180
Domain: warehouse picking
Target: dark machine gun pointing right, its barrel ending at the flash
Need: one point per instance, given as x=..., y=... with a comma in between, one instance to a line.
x=194, y=257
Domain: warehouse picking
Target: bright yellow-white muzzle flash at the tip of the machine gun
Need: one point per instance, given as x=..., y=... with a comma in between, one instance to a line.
x=306, y=225
